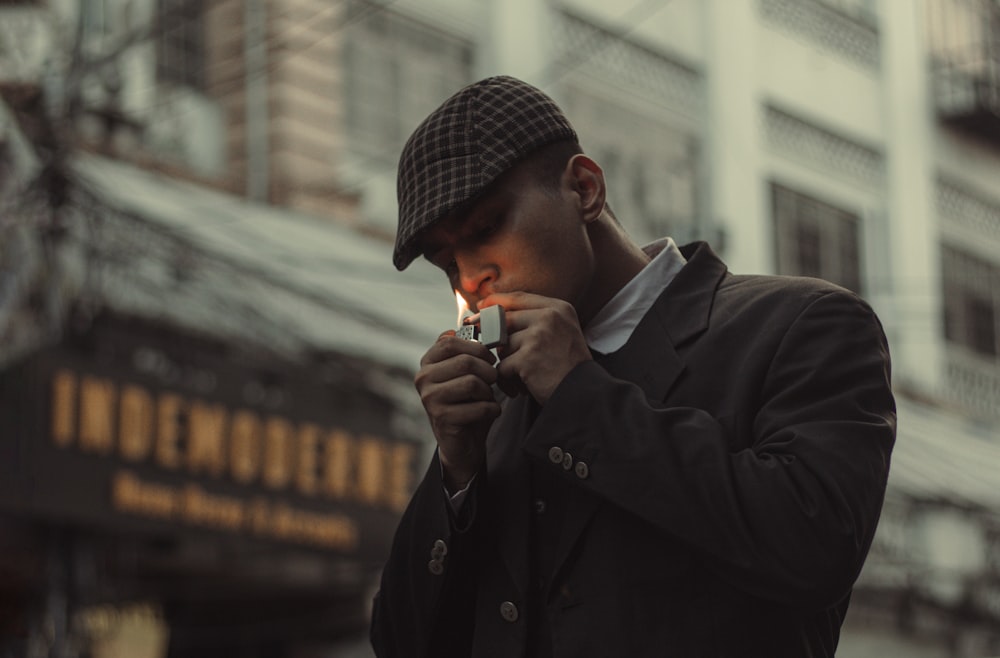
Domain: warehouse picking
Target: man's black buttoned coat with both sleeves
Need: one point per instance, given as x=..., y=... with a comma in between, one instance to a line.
x=726, y=472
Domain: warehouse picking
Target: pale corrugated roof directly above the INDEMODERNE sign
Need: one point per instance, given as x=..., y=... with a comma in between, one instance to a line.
x=233, y=268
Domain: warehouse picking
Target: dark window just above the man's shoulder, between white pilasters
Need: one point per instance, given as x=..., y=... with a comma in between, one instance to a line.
x=815, y=239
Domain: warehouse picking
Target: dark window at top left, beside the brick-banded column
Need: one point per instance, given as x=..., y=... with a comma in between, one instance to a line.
x=180, y=42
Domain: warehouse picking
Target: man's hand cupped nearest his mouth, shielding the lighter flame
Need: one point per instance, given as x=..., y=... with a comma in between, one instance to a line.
x=544, y=342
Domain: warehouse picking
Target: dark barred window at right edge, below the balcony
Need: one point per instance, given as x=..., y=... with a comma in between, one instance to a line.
x=971, y=301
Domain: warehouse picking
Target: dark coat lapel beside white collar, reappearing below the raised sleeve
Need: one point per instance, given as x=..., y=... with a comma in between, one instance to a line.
x=650, y=359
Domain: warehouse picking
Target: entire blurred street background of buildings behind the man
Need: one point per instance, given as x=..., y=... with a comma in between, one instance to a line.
x=207, y=422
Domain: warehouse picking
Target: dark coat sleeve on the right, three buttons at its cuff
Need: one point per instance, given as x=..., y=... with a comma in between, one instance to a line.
x=789, y=515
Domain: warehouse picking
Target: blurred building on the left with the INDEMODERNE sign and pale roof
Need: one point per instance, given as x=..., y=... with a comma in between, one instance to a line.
x=206, y=445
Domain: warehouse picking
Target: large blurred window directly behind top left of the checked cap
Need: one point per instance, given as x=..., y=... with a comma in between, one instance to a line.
x=397, y=71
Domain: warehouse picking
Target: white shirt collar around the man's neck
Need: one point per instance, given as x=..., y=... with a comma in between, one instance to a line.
x=613, y=325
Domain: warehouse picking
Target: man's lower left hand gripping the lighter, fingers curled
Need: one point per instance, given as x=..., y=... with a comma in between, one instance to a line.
x=454, y=383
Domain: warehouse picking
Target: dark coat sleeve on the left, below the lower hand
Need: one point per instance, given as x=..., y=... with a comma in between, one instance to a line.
x=422, y=609
